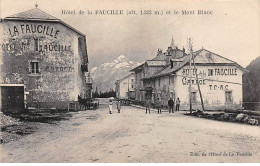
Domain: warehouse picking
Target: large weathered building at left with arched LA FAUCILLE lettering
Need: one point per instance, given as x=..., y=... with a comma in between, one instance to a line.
x=43, y=62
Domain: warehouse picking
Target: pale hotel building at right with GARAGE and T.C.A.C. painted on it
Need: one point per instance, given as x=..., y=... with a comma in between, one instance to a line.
x=220, y=81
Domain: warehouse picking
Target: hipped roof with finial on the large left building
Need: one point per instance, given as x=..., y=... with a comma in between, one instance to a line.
x=36, y=14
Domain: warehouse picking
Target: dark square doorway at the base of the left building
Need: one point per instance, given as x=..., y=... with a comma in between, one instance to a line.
x=12, y=98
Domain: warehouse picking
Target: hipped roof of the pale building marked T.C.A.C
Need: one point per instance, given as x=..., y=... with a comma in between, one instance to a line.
x=201, y=57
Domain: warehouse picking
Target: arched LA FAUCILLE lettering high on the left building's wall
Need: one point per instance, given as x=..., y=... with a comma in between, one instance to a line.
x=32, y=29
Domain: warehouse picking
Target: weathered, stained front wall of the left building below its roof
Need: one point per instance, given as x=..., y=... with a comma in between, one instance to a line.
x=54, y=47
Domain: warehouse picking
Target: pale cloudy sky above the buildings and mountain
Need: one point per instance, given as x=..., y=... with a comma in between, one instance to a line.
x=232, y=31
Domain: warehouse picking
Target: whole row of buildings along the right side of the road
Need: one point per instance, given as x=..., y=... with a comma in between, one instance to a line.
x=167, y=75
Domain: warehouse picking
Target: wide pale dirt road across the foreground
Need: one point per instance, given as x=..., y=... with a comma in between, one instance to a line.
x=133, y=136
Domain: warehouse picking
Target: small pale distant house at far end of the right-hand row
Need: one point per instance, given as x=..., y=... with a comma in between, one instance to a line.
x=125, y=88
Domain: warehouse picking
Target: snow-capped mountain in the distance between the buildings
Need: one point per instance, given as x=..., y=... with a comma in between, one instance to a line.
x=105, y=76
